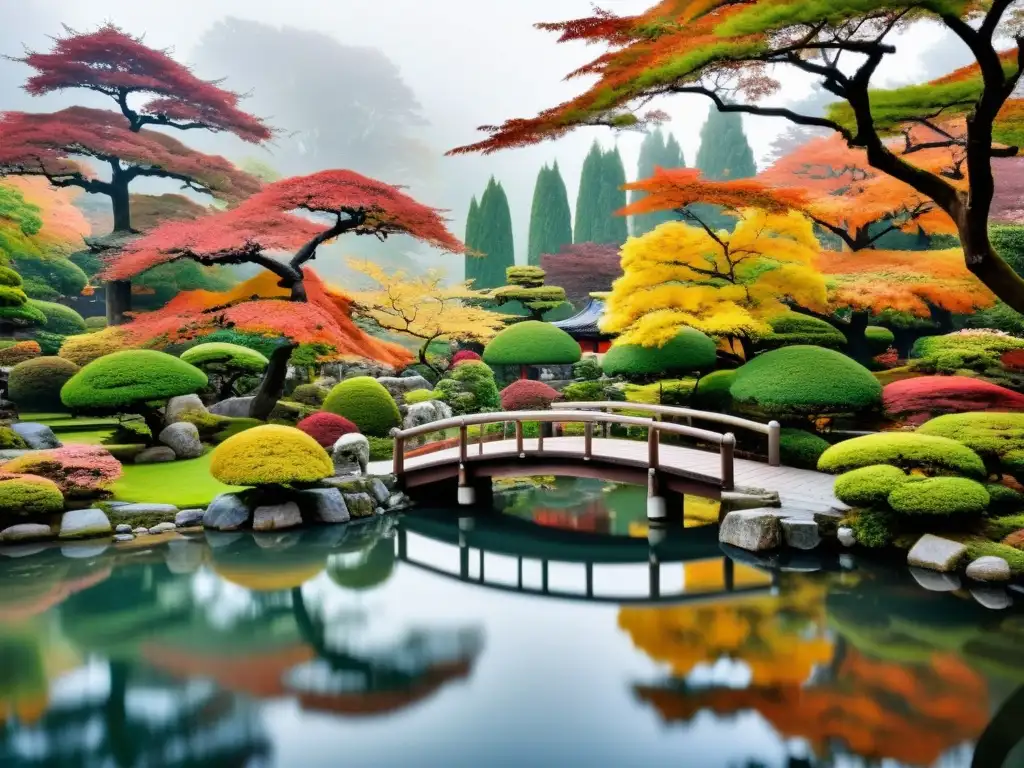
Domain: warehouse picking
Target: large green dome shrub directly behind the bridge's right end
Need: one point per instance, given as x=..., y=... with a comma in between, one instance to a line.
x=805, y=380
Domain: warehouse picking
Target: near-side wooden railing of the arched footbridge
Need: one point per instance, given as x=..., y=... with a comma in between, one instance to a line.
x=727, y=442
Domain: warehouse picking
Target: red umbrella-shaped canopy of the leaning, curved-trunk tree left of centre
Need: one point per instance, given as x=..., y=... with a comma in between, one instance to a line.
x=265, y=223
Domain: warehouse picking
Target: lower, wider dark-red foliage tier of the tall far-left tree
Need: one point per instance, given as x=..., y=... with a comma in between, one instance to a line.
x=34, y=144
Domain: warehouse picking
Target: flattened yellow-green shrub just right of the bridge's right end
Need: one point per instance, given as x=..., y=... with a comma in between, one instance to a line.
x=908, y=451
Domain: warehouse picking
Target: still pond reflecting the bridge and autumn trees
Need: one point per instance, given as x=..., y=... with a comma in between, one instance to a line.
x=553, y=633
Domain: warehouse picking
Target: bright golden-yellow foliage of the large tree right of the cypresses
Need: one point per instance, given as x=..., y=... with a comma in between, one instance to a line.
x=726, y=285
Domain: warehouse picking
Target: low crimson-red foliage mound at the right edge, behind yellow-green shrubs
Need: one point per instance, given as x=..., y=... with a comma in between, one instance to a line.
x=933, y=396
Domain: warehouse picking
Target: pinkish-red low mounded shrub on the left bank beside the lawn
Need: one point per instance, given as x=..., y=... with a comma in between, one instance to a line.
x=80, y=472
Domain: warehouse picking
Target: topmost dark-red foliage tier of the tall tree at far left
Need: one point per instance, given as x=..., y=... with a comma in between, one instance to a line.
x=112, y=62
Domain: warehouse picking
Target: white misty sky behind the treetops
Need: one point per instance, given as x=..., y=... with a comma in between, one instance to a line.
x=450, y=66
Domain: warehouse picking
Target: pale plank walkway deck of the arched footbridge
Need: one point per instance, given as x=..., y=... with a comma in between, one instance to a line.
x=799, y=490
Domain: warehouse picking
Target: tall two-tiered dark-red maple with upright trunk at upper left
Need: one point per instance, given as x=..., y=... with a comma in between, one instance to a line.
x=115, y=64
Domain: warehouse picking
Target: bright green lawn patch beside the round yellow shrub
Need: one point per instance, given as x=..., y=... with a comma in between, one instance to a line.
x=184, y=484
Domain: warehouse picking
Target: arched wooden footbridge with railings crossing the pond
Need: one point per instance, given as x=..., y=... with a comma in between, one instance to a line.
x=706, y=466
